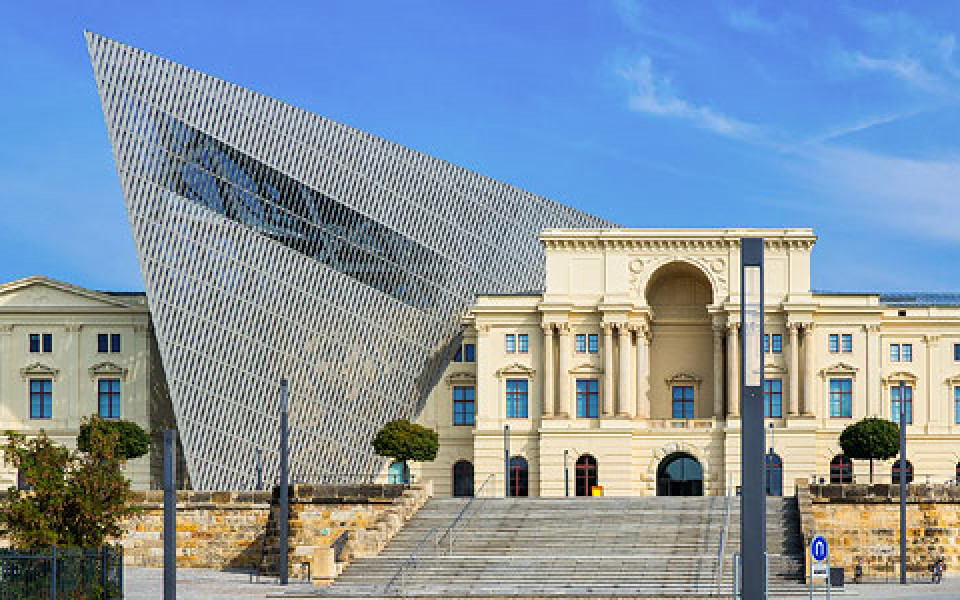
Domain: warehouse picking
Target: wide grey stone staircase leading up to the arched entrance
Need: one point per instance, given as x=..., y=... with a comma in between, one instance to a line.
x=572, y=546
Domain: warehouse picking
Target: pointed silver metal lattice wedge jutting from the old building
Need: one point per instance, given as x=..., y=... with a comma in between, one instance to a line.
x=275, y=243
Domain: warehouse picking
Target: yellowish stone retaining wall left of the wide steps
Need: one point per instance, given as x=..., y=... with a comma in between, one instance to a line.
x=238, y=530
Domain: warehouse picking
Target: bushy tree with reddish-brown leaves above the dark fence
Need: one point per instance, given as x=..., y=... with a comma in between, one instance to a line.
x=77, y=498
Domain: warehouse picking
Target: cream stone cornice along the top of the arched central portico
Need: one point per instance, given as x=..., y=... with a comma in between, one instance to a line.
x=705, y=240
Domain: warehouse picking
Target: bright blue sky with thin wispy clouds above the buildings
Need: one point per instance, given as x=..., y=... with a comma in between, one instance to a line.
x=843, y=117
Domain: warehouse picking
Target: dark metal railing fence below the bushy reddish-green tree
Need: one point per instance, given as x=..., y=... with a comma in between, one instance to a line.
x=51, y=573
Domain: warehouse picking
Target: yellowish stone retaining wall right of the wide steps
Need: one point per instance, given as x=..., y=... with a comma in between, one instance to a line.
x=862, y=521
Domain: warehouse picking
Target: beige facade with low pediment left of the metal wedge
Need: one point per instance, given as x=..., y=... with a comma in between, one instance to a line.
x=50, y=345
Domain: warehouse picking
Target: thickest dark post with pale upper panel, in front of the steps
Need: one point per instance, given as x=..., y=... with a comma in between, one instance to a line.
x=753, y=454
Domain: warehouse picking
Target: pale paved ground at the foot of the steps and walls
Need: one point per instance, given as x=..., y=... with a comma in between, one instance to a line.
x=202, y=584
